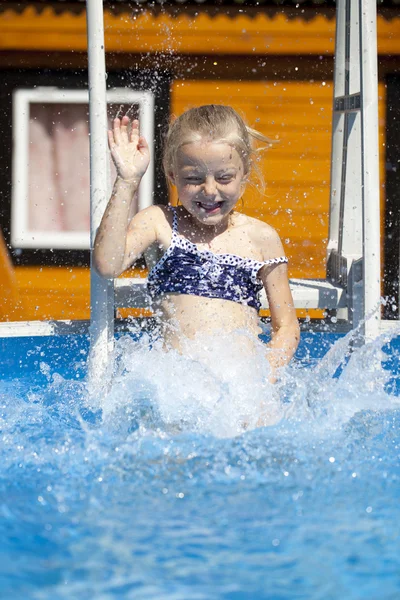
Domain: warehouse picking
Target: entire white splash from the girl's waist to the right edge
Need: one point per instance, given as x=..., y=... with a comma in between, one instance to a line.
x=217, y=388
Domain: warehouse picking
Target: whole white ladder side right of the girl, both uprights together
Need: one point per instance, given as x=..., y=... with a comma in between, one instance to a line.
x=354, y=228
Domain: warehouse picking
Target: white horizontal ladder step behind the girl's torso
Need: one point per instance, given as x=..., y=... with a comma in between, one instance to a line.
x=307, y=293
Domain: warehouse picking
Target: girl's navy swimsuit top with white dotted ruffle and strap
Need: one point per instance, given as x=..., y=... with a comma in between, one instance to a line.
x=184, y=269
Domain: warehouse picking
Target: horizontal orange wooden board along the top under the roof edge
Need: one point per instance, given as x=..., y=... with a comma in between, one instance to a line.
x=143, y=31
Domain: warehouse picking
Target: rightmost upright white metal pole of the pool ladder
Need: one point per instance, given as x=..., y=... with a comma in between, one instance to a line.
x=370, y=166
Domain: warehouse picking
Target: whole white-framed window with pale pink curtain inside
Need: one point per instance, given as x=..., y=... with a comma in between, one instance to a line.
x=50, y=207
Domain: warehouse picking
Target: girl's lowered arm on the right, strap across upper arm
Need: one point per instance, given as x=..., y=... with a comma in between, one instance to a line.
x=285, y=327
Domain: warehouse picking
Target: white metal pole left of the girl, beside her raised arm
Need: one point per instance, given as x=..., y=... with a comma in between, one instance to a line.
x=101, y=290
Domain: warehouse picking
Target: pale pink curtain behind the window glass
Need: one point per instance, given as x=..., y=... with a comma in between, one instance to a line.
x=59, y=176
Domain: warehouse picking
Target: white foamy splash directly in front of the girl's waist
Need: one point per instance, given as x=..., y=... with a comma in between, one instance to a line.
x=214, y=388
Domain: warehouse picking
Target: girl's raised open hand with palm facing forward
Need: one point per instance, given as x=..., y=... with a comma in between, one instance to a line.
x=129, y=150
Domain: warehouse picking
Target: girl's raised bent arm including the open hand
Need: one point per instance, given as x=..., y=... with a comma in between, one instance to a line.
x=121, y=237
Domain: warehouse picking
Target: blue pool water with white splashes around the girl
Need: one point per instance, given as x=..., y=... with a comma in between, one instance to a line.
x=142, y=493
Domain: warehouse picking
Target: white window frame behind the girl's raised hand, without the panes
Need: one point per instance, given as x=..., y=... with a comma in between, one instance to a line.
x=21, y=236
